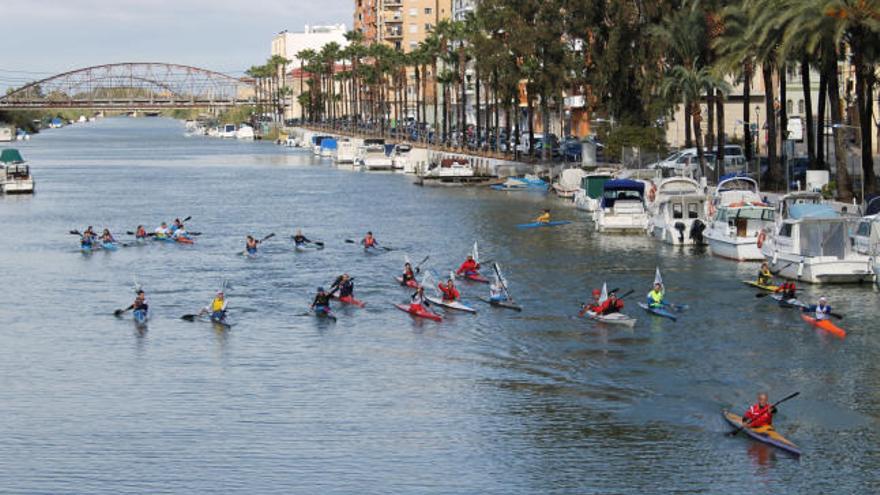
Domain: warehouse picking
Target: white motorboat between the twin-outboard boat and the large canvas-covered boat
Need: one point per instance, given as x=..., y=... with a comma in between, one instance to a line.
x=738, y=219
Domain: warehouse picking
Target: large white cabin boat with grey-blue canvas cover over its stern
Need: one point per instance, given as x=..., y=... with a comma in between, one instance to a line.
x=811, y=243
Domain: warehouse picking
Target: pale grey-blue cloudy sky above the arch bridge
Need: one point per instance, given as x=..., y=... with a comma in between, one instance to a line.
x=47, y=37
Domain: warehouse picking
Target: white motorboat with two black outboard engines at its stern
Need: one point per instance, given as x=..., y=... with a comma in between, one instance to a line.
x=679, y=212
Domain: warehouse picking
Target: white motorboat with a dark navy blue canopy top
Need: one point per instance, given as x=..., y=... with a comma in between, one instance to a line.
x=622, y=209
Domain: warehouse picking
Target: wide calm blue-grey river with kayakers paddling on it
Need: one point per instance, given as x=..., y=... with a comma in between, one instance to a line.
x=498, y=402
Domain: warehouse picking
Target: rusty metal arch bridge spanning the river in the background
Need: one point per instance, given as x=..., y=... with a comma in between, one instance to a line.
x=132, y=86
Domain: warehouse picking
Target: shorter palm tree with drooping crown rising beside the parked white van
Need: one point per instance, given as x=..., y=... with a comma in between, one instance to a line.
x=687, y=84
